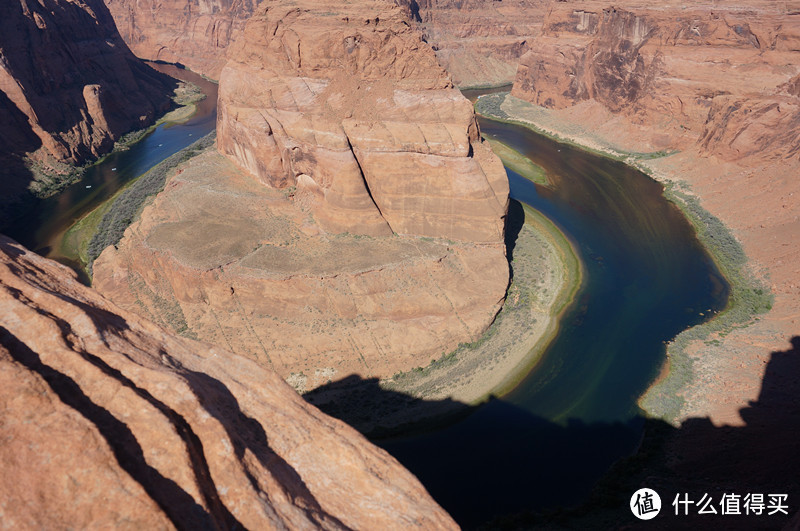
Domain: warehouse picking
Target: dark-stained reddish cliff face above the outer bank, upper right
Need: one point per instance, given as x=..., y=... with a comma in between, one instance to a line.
x=686, y=71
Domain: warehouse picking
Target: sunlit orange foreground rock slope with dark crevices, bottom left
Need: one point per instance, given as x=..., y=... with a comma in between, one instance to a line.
x=107, y=421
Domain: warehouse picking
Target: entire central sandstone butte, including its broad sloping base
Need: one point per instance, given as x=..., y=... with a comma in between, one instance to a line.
x=357, y=223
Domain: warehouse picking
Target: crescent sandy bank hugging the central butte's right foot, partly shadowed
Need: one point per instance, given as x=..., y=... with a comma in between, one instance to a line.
x=546, y=276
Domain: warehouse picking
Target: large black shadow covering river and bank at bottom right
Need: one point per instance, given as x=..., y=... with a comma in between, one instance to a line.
x=496, y=469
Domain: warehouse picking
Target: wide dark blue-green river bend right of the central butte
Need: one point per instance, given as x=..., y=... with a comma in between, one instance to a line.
x=646, y=279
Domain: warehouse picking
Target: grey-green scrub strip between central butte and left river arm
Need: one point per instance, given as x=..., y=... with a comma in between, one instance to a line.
x=127, y=205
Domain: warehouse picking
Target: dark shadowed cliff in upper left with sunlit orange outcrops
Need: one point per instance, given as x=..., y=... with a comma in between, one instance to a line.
x=69, y=86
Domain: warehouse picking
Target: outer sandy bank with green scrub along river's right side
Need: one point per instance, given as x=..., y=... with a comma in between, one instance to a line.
x=715, y=369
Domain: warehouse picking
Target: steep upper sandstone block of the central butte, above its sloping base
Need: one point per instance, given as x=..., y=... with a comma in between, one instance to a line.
x=346, y=103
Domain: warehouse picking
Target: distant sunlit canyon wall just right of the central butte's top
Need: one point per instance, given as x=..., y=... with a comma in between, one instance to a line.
x=479, y=42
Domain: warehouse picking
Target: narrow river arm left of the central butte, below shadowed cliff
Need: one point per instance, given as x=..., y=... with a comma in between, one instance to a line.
x=42, y=228
